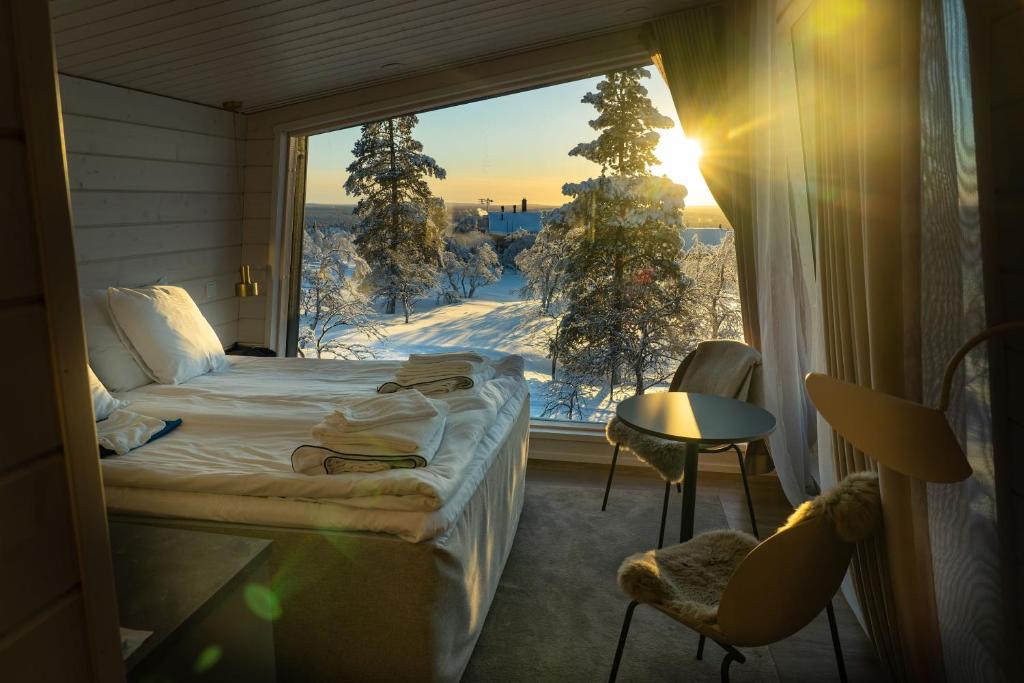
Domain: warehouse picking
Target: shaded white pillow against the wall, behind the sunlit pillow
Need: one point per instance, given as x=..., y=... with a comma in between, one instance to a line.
x=109, y=358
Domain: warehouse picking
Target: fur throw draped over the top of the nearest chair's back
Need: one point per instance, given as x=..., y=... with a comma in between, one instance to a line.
x=854, y=507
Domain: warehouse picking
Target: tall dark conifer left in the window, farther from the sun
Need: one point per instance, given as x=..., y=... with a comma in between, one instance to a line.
x=401, y=223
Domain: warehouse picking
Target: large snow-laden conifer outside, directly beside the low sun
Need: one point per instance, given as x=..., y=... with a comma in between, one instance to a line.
x=618, y=245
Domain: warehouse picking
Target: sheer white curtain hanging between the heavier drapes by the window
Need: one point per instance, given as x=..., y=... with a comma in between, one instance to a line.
x=788, y=309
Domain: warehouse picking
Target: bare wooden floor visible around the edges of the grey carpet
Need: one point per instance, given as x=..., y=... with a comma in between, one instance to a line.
x=806, y=656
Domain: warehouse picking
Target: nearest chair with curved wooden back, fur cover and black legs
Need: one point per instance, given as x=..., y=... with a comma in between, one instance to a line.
x=740, y=593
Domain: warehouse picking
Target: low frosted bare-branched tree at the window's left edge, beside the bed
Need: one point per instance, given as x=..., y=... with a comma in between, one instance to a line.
x=332, y=300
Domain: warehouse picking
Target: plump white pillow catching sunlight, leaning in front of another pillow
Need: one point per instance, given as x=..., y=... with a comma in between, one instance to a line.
x=166, y=331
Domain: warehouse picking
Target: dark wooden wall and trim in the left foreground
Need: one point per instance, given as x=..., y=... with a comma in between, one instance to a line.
x=58, y=608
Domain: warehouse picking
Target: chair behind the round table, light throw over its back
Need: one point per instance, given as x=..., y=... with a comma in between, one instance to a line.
x=721, y=368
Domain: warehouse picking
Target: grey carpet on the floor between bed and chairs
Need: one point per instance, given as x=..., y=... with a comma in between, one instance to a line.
x=559, y=611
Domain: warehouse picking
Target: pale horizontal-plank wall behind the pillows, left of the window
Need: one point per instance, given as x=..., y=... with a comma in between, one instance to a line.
x=157, y=190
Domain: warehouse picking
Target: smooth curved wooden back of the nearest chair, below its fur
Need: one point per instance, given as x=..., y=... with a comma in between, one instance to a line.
x=784, y=584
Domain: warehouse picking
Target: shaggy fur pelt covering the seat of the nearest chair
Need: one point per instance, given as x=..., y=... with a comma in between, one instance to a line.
x=689, y=579
